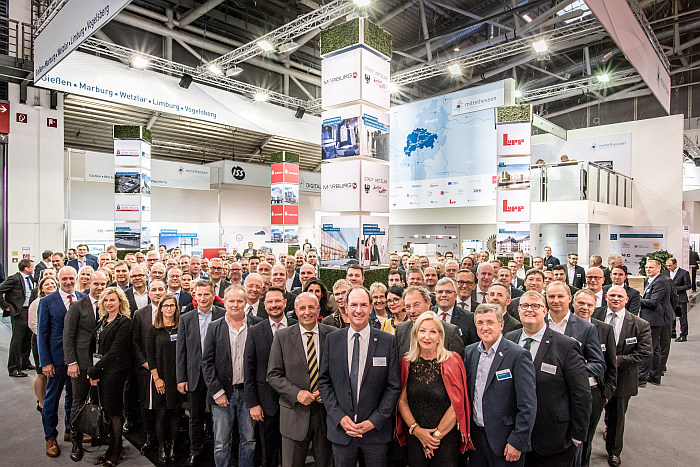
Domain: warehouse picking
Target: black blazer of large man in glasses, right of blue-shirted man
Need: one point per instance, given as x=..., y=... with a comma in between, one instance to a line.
x=563, y=398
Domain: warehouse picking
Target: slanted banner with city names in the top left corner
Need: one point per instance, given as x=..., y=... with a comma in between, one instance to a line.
x=75, y=22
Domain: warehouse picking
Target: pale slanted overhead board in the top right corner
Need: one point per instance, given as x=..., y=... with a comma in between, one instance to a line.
x=620, y=22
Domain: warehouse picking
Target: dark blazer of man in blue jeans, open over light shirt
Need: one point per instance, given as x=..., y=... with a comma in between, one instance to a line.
x=217, y=361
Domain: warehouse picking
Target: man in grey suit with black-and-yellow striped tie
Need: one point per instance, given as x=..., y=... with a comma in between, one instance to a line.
x=293, y=373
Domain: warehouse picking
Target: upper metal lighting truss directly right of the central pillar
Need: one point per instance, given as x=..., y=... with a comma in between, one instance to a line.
x=555, y=39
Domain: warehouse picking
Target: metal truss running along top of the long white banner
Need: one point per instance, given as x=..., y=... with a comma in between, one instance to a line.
x=162, y=65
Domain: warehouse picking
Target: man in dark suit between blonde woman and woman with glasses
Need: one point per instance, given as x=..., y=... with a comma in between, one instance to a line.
x=141, y=323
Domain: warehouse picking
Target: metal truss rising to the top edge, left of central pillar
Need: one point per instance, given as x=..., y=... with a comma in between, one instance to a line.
x=318, y=18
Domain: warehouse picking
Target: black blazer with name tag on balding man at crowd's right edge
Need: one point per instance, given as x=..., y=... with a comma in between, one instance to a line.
x=633, y=347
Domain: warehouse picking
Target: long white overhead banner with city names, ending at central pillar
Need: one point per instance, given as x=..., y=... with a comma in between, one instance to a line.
x=113, y=81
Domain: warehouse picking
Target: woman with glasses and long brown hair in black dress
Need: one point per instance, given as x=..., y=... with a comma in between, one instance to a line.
x=162, y=342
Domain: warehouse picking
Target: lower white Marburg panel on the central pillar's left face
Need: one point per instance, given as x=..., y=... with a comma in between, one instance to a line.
x=341, y=186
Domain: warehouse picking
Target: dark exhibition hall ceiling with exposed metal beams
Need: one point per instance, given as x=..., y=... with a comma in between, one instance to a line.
x=424, y=32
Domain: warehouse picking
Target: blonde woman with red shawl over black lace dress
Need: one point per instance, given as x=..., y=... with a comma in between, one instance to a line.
x=433, y=409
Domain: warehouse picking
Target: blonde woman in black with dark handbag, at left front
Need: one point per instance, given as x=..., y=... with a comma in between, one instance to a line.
x=111, y=347
